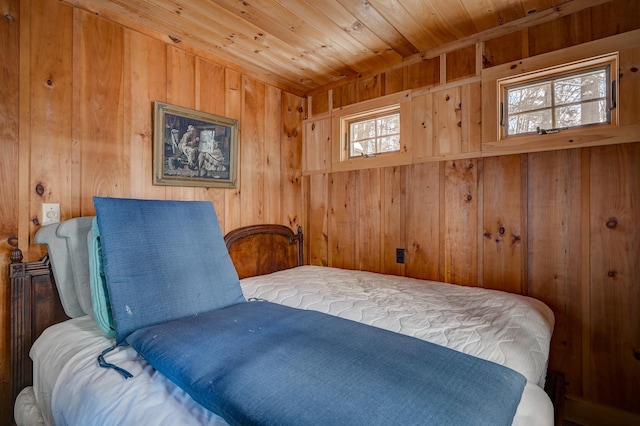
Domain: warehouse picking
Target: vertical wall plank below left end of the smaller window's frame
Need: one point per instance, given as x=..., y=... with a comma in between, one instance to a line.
x=343, y=220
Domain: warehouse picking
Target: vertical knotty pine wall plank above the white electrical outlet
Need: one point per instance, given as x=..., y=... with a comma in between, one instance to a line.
x=50, y=107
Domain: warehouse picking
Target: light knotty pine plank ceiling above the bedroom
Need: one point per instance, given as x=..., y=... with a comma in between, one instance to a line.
x=306, y=44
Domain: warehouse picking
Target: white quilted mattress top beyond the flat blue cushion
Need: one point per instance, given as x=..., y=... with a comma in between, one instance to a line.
x=505, y=328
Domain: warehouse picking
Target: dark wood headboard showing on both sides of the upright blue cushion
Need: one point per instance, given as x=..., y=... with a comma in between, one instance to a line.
x=35, y=303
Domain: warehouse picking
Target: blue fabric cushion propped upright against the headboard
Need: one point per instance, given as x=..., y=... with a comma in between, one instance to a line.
x=163, y=260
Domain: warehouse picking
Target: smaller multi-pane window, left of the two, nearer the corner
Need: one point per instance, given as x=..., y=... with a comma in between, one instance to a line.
x=375, y=134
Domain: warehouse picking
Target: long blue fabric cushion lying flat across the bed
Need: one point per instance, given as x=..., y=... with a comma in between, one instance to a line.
x=263, y=363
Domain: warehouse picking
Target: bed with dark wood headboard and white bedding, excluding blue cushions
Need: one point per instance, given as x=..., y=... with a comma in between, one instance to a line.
x=56, y=379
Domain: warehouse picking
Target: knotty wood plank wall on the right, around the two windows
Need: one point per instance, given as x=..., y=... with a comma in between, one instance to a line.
x=559, y=226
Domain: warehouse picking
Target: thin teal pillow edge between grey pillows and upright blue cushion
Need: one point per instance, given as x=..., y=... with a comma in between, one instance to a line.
x=99, y=293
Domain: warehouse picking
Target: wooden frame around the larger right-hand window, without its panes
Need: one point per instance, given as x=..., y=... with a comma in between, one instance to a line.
x=609, y=61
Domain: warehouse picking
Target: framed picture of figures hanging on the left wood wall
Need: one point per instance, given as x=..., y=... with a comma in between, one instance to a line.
x=193, y=148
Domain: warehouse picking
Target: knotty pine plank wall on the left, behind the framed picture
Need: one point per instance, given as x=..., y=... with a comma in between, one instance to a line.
x=83, y=127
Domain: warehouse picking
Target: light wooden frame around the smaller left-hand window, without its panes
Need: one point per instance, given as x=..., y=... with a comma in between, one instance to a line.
x=342, y=117
